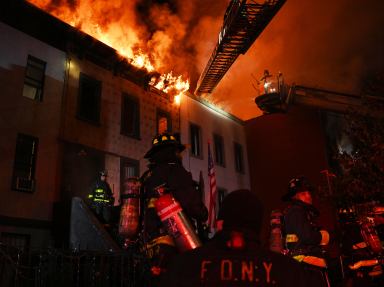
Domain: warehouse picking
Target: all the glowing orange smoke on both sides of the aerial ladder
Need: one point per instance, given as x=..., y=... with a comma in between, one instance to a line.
x=327, y=44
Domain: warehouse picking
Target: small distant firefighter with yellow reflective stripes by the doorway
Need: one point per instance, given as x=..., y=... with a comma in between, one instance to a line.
x=101, y=198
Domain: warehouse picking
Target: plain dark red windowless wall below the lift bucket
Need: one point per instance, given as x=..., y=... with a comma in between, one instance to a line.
x=283, y=146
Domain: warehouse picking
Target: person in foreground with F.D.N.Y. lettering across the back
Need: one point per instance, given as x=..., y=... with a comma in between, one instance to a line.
x=234, y=256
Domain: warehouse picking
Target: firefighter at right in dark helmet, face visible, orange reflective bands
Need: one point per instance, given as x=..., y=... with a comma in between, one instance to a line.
x=304, y=238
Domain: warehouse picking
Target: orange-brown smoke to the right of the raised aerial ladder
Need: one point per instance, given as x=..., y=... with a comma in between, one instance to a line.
x=327, y=44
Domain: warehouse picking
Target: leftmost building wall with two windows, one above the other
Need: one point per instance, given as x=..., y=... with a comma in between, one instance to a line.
x=29, y=212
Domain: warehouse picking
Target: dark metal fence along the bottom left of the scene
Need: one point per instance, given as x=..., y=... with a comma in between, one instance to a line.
x=54, y=267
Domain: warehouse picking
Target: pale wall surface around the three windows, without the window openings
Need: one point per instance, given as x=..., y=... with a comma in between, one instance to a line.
x=212, y=122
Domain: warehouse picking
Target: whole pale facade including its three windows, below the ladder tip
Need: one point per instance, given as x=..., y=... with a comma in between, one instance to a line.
x=203, y=123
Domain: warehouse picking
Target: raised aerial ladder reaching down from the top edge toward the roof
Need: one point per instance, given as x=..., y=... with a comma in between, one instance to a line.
x=244, y=21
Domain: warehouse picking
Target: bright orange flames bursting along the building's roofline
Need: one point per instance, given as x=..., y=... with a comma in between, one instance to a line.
x=113, y=23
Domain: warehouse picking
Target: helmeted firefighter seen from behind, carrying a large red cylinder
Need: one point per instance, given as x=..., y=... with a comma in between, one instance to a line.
x=166, y=173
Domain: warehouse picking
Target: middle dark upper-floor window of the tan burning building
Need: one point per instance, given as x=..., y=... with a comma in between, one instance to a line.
x=130, y=116
